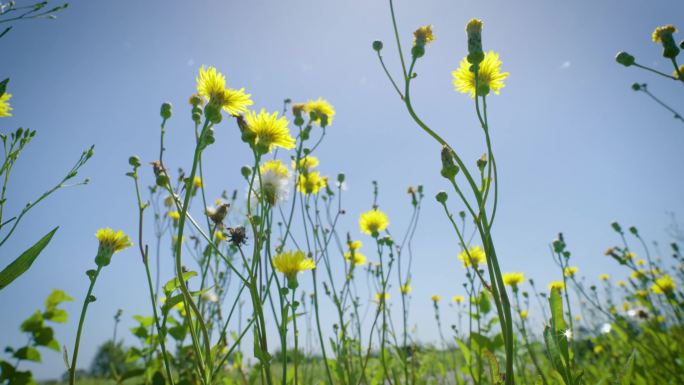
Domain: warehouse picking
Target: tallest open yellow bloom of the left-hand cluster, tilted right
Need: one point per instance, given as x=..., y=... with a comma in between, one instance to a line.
x=212, y=85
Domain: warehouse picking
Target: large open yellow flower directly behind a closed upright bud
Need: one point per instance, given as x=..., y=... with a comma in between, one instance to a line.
x=490, y=77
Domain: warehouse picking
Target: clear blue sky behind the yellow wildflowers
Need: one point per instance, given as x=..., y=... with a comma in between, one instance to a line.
x=577, y=148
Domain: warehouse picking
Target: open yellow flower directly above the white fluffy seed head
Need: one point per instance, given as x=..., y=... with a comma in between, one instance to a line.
x=270, y=131
